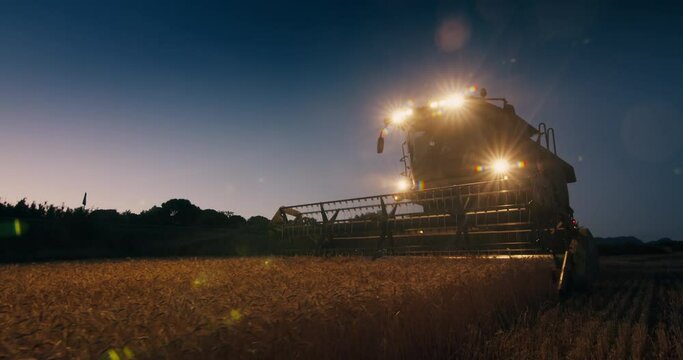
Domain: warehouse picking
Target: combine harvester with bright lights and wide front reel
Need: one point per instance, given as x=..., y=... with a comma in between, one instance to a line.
x=478, y=180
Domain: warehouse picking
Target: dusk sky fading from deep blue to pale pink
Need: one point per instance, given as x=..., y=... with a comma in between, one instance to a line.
x=246, y=106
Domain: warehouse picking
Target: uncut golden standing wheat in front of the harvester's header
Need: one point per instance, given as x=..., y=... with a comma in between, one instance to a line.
x=262, y=307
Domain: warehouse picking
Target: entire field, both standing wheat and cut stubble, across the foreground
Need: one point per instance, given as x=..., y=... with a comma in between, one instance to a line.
x=336, y=308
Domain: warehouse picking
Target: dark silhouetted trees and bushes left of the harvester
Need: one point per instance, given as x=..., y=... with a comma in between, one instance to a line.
x=42, y=232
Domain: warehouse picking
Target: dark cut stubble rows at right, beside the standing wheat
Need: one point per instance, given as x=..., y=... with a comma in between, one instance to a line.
x=635, y=311
